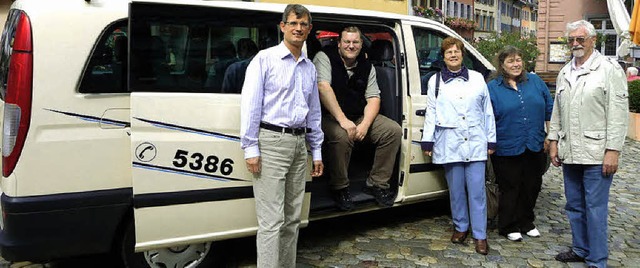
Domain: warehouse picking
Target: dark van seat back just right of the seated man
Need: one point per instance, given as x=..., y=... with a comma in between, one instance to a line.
x=381, y=55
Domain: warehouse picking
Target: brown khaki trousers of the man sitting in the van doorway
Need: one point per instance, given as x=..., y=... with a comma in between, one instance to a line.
x=384, y=133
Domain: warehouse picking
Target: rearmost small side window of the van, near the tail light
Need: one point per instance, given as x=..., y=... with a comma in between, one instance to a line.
x=106, y=71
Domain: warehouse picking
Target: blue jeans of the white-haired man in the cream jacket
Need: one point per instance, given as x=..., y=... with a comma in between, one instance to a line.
x=587, y=193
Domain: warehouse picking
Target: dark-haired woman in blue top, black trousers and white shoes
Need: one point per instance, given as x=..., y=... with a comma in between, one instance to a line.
x=522, y=106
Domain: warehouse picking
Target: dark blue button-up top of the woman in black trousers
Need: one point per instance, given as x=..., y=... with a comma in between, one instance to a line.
x=520, y=114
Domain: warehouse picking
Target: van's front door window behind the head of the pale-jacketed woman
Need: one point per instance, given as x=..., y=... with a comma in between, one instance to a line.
x=430, y=59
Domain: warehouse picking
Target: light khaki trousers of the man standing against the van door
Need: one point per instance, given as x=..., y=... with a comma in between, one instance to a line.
x=279, y=193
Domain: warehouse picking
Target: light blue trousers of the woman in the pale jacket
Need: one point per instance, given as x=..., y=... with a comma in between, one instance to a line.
x=468, y=197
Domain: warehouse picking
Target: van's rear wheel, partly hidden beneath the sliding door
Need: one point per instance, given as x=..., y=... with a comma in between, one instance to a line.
x=187, y=256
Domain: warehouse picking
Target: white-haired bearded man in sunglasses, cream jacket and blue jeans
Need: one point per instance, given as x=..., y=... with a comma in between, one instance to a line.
x=587, y=131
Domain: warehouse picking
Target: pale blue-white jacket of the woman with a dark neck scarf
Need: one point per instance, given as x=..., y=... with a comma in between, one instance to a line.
x=459, y=125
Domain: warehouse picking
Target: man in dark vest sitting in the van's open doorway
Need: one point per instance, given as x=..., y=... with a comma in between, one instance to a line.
x=350, y=97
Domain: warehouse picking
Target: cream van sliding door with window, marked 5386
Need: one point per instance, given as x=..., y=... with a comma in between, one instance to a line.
x=186, y=63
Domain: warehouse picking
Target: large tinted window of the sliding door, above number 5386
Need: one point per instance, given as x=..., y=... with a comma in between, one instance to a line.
x=178, y=48
